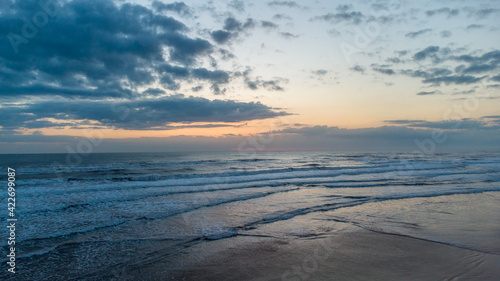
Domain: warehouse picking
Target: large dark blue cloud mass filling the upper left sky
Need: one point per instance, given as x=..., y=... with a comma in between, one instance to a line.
x=95, y=49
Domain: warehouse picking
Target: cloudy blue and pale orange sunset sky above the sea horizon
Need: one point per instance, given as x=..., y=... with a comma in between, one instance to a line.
x=113, y=76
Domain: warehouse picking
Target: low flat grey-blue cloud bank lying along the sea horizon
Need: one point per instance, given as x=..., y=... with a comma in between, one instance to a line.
x=386, y=138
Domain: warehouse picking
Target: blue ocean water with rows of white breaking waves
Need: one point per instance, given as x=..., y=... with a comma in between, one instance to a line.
x=82, y=217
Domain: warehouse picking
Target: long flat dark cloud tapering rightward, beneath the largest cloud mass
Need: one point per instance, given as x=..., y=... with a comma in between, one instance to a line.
x=142, y=114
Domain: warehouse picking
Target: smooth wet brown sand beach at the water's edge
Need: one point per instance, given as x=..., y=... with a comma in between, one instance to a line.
x=352, y=254
